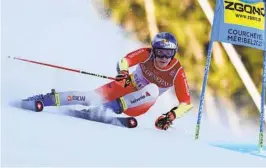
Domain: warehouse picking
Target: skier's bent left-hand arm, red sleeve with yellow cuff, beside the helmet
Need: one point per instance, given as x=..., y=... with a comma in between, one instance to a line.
x=133, y=58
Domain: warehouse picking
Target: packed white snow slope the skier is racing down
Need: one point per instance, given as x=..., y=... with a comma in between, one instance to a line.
x=71, y=33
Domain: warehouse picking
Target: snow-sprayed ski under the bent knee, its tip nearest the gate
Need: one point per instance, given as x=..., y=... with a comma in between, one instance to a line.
x=128, y=122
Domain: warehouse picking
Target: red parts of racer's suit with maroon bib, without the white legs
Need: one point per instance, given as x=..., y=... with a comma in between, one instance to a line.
x=146, y=72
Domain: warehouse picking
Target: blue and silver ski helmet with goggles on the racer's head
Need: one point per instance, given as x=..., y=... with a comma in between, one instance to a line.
x=164, y=41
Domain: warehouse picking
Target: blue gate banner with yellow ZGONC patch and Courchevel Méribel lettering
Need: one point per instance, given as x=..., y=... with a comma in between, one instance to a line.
x=240, y=22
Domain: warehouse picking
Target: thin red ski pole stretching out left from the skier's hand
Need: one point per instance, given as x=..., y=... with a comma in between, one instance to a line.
x=60, y=67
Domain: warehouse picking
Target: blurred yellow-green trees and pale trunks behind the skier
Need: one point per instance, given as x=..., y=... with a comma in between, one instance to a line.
x=235, y=74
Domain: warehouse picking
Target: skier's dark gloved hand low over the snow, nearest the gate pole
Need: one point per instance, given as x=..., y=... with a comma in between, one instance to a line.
x=165, y=120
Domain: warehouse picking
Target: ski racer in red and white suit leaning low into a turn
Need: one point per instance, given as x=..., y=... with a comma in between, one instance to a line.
x=133, y=93
